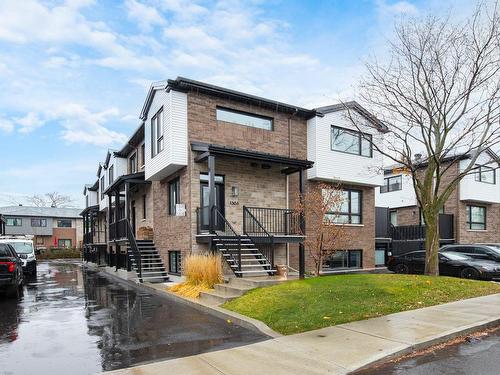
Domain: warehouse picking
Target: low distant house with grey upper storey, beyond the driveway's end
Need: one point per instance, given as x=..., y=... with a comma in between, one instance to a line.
x=51, y=227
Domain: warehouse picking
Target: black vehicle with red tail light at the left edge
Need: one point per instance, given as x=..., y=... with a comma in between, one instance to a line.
x=11, y=271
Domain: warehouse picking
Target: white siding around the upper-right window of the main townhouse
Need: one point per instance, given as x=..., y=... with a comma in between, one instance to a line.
x=337, y=166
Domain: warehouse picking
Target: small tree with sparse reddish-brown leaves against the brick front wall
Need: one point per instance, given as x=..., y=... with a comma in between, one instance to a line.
x=325, y=231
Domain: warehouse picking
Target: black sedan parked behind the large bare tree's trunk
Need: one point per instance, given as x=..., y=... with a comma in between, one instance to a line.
x=450, y=264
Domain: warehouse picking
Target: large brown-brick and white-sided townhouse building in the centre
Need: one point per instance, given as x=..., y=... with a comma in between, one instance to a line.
x=213, y=169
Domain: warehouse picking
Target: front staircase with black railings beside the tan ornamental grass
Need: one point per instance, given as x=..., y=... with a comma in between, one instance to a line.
x=241, y=248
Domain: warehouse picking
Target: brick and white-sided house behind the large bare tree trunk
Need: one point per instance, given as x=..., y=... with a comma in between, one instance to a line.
x=473, y=209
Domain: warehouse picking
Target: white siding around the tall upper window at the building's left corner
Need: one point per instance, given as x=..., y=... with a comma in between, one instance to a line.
x=175, y=151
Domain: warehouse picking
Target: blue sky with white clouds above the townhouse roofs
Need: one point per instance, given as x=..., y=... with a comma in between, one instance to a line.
x=74, y=74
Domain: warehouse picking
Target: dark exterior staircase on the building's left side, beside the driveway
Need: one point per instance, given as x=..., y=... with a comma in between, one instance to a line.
x=152, y=267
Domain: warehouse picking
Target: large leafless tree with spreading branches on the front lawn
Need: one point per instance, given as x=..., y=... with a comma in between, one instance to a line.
x=439, y=94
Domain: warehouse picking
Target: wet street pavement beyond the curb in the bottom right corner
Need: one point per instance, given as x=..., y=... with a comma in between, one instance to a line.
x=477, y=357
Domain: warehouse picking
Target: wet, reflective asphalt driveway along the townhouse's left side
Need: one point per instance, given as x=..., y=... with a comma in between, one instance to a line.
x=74, y=321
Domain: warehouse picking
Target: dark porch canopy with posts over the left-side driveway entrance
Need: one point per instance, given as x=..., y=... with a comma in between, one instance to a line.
x=121, y=188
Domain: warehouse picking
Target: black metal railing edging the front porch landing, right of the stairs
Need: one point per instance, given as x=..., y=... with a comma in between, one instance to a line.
x=276, y=221
